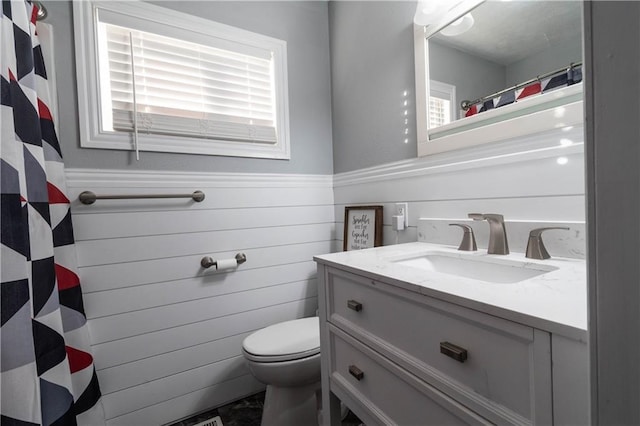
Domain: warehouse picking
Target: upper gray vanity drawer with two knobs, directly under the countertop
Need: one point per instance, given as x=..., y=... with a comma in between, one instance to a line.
x=506, y=375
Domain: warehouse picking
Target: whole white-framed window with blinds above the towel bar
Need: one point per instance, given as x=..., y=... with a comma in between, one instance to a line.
x=154, y=79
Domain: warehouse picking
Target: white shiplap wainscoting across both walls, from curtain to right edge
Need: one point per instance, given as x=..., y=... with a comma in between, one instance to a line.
x=167, y=334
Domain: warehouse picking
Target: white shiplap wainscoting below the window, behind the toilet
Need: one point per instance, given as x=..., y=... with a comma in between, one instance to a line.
x=166, y=333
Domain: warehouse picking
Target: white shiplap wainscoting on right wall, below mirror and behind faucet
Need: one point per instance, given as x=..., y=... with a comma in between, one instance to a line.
x=527, y=184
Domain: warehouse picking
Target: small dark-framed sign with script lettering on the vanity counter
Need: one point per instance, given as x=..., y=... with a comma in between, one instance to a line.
x=362, y=227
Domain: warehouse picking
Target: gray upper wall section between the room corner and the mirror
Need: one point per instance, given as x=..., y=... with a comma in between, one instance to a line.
x=372, y=66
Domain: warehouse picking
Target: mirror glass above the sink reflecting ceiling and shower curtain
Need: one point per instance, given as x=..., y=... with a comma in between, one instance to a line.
x=505, y=43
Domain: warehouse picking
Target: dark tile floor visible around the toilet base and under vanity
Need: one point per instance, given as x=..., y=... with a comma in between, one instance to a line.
x=246, y=412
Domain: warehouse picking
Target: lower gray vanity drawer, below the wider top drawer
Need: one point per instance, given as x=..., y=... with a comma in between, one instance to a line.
x=390, y=394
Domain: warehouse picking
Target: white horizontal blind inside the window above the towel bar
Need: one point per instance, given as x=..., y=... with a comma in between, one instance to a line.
x=185, y=88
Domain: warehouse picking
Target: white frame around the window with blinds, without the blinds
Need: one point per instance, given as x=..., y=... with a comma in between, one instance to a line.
x=190, y=28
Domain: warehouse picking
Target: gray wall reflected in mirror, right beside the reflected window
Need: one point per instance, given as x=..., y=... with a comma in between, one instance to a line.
x=472, y=75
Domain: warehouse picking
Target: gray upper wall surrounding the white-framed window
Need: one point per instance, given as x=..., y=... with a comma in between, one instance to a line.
x=304, y=25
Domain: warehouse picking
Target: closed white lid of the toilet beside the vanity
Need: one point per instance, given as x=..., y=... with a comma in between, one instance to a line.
x=289, y=339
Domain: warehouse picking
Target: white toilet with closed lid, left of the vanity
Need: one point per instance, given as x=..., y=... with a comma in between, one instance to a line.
x=286, y=357
